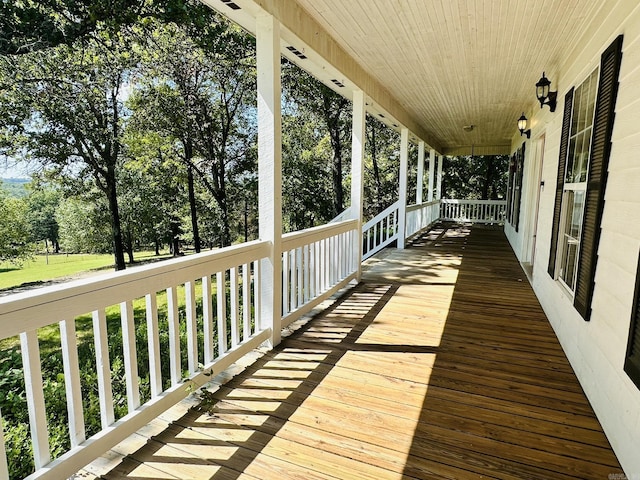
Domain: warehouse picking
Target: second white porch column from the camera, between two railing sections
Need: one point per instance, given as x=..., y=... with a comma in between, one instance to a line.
x=357, y=171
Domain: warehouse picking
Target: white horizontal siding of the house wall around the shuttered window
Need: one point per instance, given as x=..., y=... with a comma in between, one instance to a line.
x=596, y=349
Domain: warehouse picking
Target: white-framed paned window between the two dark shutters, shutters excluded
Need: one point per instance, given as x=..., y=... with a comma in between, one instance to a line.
x=575, y=179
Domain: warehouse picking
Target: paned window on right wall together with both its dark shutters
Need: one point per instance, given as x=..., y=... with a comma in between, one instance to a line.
x=585, y=146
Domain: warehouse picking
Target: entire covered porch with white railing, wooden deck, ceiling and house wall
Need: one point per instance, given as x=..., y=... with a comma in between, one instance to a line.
x=440, y=363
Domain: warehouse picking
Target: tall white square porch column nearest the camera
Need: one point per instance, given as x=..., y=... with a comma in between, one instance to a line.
x=269, y=171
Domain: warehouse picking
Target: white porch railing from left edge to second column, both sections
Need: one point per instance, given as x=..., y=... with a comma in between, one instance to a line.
x=205, y=302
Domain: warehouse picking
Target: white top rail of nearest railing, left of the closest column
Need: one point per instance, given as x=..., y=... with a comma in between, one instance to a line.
x=63, y=302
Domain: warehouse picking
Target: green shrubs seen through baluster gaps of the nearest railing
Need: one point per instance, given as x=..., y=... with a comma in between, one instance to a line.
x=12, y=390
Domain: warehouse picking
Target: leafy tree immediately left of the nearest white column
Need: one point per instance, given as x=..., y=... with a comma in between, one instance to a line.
x=204, y=98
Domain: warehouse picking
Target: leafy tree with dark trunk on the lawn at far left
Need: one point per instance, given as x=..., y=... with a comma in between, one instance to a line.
x=71, y=98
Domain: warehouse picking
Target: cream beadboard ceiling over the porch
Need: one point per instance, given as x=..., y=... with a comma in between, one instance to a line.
x=446, y=63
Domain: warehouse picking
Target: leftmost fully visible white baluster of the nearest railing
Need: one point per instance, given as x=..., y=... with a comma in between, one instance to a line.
x=32, y=368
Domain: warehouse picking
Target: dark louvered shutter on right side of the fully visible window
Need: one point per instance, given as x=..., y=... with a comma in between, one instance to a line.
x=596, y=183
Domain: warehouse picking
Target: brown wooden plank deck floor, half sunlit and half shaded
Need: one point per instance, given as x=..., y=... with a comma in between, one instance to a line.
x=440, y=364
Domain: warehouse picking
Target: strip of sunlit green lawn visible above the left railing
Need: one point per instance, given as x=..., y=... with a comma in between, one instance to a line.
x=41, y=268
